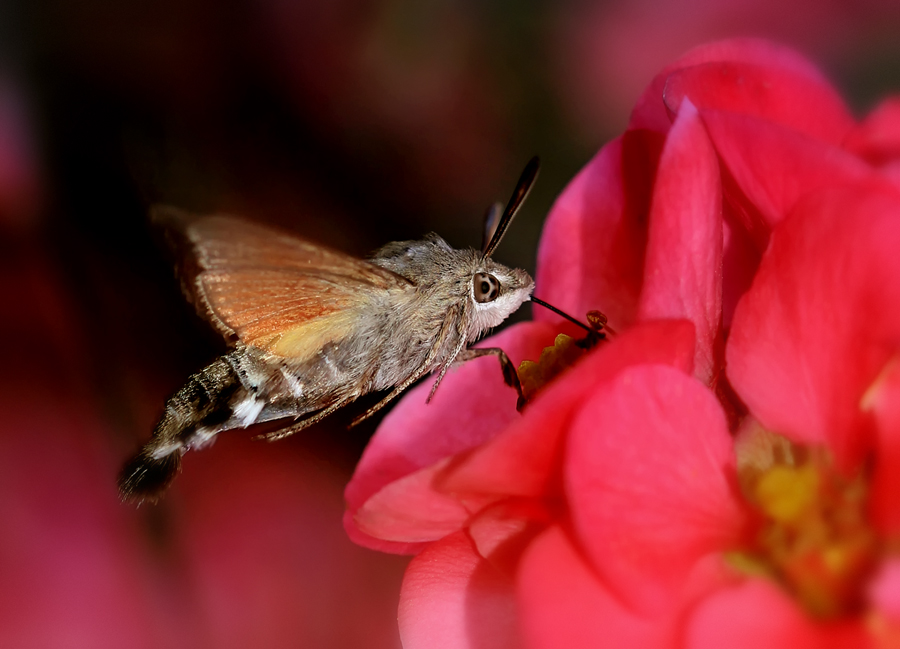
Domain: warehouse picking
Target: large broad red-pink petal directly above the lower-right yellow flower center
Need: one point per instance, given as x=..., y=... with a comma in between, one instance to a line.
x=821, y=319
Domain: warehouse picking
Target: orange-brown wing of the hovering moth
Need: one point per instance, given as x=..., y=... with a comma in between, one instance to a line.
x=270, y=289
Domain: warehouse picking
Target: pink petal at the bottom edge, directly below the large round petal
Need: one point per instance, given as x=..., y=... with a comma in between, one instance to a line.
x=563, y=604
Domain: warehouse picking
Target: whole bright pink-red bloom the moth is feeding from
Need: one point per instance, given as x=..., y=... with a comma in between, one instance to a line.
x=741, y=235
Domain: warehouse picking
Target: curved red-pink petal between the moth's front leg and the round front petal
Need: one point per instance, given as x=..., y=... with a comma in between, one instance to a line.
x=524, y=459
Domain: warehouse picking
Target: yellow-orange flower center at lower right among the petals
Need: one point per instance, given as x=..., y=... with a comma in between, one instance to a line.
x=814, y=535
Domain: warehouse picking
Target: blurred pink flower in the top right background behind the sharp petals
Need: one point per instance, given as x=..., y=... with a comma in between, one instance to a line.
x=605, y=52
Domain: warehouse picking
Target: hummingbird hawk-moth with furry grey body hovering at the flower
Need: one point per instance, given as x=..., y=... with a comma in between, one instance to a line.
x=312, y=329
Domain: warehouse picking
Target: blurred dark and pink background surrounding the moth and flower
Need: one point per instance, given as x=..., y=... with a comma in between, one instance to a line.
x=352, y=122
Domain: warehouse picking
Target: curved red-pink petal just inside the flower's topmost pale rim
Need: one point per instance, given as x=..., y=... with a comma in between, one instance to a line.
x=802, y=103
